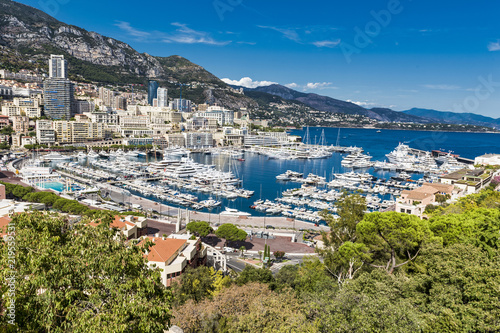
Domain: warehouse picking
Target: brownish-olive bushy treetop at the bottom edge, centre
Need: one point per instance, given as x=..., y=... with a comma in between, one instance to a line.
x=249, y=308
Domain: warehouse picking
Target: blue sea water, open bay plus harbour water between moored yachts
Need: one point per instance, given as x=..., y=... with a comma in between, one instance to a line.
x=258, y=172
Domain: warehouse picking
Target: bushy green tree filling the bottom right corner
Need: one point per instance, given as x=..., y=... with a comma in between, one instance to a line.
x=457, y=289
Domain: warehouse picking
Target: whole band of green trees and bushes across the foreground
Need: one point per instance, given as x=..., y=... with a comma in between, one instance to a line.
x=382, y=272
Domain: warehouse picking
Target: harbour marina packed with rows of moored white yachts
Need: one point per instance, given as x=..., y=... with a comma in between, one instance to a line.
x=259, y=181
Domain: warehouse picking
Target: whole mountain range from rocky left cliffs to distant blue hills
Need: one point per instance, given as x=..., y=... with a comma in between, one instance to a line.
x=28, y=36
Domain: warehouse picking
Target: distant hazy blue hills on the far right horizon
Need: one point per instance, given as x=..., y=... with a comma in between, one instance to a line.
x=455, y=117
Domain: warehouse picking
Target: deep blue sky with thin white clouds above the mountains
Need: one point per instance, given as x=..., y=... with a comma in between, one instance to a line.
x=400, y=54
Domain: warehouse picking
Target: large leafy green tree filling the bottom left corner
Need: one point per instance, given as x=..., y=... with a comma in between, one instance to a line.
x=72, y=278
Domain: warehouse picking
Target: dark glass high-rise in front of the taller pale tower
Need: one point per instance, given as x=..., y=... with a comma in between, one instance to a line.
x=58, y=98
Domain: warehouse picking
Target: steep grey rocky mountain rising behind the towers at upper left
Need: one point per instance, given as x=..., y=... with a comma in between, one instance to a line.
x=30, y=33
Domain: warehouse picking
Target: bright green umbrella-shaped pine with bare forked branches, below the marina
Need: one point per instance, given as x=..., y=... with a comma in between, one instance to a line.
x=391, y=236
